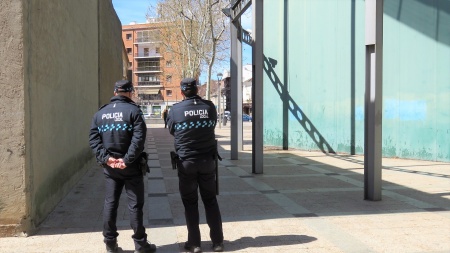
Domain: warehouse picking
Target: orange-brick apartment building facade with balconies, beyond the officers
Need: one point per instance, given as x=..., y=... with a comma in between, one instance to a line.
x=151, y=69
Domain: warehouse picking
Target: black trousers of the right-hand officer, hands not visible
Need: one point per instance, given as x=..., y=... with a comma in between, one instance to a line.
x=194, y=174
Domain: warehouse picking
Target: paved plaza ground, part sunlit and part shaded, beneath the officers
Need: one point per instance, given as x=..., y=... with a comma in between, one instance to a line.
x=304, y=202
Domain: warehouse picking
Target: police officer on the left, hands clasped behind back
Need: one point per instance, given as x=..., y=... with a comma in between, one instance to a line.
x=117, y=138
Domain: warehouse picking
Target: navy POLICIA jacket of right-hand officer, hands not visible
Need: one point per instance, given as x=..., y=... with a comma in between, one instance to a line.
x=192, y=123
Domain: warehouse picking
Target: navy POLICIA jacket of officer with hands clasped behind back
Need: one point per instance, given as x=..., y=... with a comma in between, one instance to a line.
x=118, y=130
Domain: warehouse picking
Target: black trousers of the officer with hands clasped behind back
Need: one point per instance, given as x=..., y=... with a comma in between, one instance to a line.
x=134, y=187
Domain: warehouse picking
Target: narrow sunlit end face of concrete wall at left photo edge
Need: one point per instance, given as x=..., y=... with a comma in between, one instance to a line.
x=12, y=126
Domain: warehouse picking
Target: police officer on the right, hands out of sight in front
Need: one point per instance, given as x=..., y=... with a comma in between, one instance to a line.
x=192, y=123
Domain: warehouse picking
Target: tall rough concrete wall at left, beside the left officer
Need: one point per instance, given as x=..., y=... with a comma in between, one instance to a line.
x=67, y=63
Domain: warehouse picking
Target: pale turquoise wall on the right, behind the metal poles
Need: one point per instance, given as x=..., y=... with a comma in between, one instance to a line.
x=315, y=62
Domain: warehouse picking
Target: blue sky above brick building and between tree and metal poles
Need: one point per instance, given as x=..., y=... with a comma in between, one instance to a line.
x=136, y=10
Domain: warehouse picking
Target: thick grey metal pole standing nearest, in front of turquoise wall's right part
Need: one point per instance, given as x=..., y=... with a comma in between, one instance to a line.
x=373, y=100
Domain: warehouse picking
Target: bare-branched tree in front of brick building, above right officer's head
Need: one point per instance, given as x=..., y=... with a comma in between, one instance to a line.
x=196, y=34
